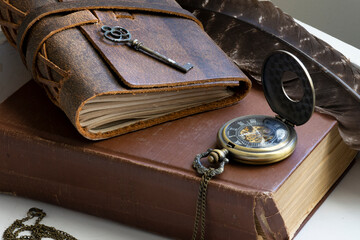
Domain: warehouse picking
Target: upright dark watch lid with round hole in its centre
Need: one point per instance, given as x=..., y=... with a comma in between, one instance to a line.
x=296, y=112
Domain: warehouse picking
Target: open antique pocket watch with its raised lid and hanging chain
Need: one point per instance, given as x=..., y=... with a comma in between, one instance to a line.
x=259, y=139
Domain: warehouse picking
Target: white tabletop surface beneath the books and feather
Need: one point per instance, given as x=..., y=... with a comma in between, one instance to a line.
x=337, y=218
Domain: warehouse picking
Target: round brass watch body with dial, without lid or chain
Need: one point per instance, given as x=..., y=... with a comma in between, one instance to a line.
x=257, y=139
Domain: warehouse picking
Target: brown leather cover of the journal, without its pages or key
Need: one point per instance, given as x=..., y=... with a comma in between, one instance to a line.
x=62, y=44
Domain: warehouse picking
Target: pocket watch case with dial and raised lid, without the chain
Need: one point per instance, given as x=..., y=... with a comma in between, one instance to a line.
x=258, y=139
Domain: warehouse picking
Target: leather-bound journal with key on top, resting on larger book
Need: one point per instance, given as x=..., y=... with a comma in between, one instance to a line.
x=109, y=88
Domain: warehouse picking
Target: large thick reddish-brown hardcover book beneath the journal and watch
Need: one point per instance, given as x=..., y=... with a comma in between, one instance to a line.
x=145, y=178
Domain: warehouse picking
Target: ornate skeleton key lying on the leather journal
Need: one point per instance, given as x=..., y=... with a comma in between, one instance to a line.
x=121, y=35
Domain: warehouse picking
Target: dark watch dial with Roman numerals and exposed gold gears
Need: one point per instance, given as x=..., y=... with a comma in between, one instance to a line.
x=256, y=132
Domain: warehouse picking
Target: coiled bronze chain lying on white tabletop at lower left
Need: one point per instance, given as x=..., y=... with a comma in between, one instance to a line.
x=37, y=231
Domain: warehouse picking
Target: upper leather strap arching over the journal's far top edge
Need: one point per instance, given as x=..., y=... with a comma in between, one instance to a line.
x=61, y=7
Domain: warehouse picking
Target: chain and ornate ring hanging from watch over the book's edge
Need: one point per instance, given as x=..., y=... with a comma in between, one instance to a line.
x=207, y=175
